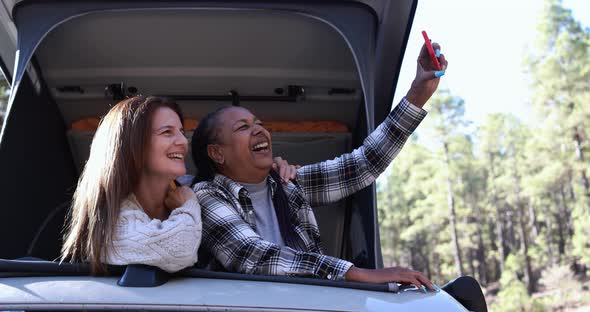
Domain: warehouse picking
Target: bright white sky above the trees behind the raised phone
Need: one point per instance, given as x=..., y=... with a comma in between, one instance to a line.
x=485, y=44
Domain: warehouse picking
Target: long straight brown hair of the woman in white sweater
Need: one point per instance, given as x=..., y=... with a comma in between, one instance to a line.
x=117, y=155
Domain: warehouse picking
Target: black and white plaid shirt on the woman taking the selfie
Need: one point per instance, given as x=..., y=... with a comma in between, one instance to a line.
x=229, y=226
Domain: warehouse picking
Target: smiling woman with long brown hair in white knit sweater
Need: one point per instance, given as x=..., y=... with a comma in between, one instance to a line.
x=123, y=210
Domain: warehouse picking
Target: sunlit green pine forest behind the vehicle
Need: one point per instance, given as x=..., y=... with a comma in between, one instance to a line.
x=508, y=202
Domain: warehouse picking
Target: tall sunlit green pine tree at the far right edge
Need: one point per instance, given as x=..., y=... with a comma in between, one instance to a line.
x=561, y=74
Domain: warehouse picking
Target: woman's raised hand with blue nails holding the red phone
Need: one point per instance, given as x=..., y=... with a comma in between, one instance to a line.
x=427, y=77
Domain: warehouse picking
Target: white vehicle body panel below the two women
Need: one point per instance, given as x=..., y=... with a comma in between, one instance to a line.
x=199, y=293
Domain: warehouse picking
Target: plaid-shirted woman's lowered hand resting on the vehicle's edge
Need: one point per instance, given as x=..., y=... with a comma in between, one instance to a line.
x=389, y=275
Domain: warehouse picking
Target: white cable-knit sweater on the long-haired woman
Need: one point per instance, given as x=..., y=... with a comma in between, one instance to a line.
x=171, y=244
